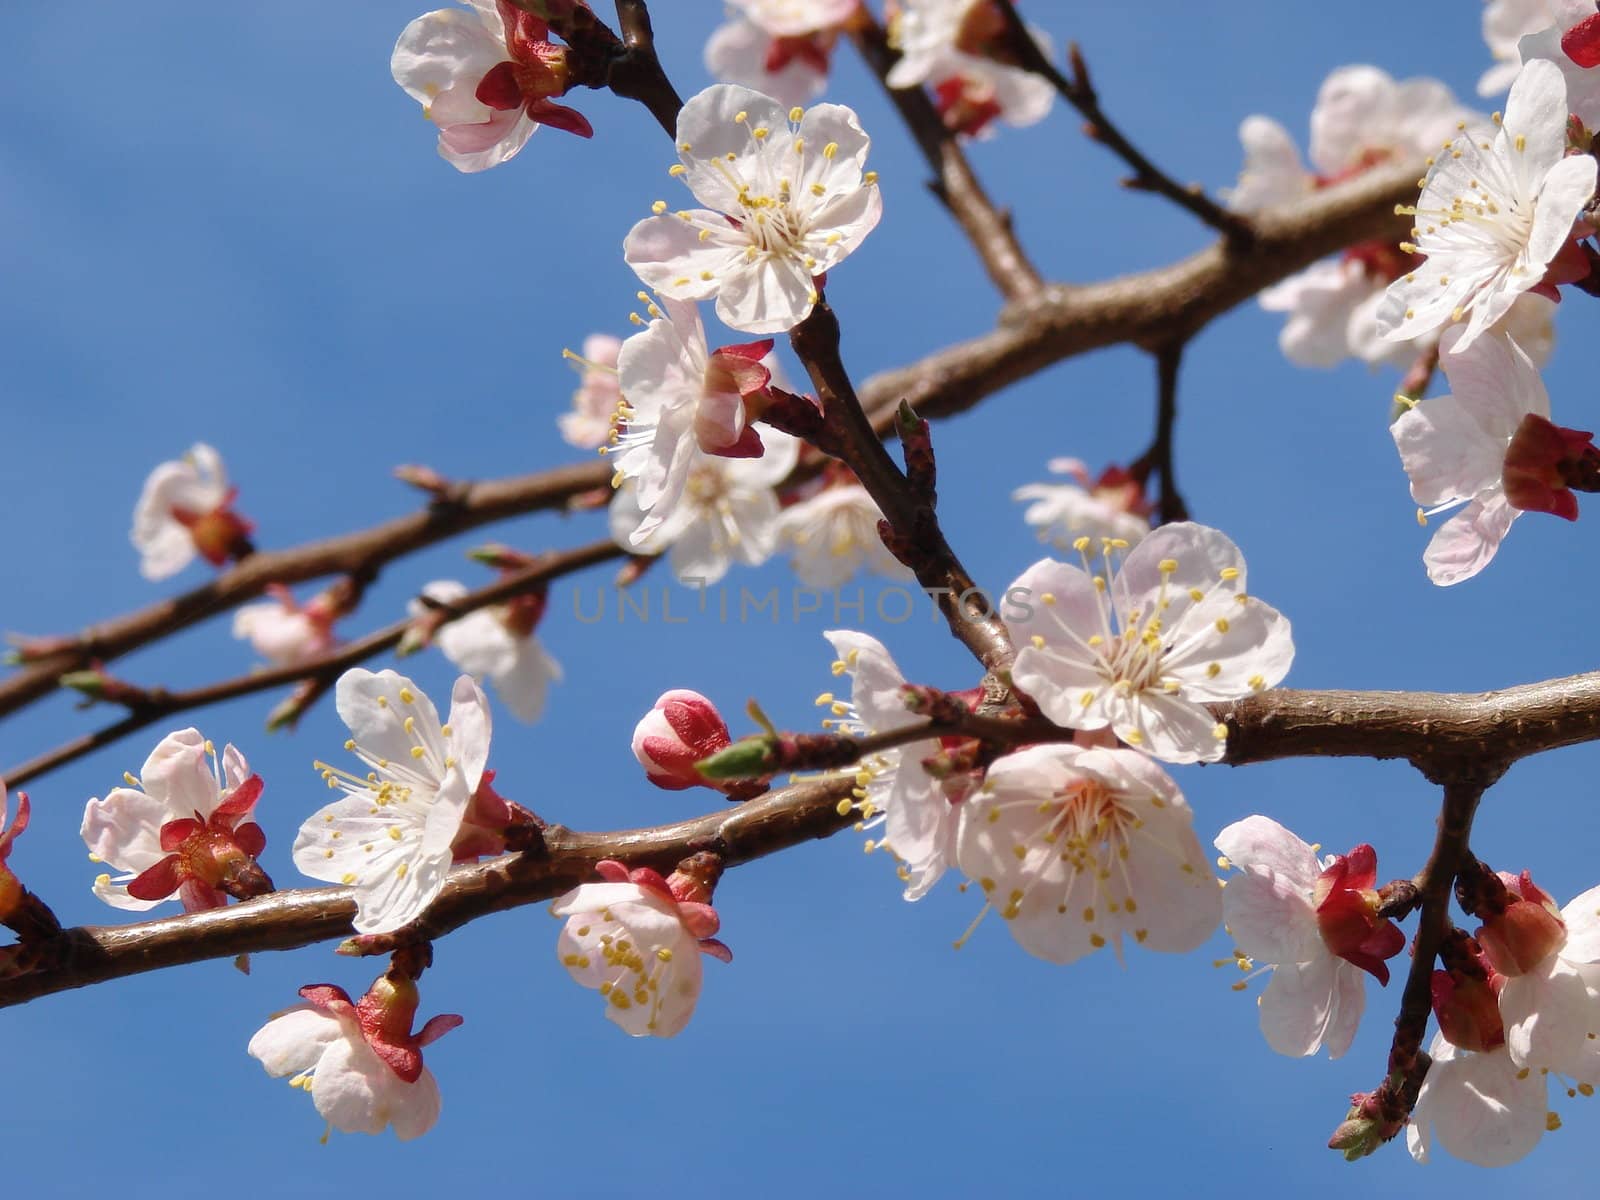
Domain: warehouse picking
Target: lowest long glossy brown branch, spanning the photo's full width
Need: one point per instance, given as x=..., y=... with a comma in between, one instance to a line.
x=1442, y=734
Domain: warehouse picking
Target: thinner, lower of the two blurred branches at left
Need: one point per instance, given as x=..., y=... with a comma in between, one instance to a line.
x=148, y=706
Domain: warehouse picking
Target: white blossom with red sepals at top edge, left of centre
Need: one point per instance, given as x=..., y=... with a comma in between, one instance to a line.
x=486, y=79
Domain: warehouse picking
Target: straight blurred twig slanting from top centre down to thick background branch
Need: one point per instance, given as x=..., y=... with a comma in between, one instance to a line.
x=954, y=183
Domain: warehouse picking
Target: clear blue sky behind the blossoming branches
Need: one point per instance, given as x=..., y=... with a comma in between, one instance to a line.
x=226, y=223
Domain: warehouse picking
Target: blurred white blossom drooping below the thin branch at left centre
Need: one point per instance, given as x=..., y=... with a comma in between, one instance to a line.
x=498, y=644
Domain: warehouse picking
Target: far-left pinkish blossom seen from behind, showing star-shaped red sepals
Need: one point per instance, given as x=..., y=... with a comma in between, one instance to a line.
x=183, y=828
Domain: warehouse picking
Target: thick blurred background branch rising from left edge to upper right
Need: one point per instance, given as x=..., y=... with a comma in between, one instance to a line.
x=1148, y=310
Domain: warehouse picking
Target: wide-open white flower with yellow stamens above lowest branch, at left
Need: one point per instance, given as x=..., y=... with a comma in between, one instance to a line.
x=394, y=834
